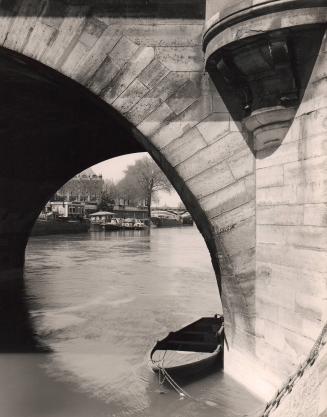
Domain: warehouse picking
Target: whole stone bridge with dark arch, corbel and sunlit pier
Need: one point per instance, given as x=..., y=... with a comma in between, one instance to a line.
x=231, y=103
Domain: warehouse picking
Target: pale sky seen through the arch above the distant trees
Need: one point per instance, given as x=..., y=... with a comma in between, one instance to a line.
x=114, y=169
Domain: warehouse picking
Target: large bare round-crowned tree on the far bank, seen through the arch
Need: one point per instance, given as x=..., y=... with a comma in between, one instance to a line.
x=142, y=181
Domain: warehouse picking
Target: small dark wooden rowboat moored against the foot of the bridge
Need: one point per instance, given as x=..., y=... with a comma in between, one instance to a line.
x=194, y=350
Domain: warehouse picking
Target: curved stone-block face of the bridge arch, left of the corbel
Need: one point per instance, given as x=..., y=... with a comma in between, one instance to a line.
x=152, y=71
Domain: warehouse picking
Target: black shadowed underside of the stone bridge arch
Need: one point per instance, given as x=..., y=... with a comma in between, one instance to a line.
x=52, y=129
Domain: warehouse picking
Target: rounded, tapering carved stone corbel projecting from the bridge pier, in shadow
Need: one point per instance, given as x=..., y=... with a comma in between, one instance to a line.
x=261, y=65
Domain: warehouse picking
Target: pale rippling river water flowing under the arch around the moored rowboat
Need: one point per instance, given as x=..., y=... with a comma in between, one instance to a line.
x=99, y=302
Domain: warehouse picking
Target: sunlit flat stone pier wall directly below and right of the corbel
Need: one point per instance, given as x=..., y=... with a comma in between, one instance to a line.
x=291, y=234
